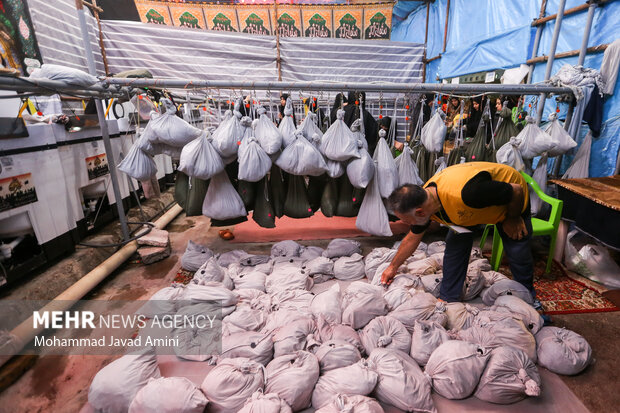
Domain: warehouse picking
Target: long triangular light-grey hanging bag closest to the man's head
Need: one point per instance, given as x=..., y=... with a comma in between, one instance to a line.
x=373, y=217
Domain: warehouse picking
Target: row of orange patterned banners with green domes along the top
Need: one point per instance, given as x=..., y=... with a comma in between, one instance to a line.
x=362, y=21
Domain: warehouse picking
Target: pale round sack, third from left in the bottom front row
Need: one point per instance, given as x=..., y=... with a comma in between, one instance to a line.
x=231, y=383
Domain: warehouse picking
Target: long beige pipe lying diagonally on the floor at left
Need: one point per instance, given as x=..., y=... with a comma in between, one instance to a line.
x=25, y=331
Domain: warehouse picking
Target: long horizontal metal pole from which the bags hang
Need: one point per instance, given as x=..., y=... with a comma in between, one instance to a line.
x=447, y=88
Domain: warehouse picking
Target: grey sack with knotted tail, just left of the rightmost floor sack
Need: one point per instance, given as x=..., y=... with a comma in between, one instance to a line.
x=509, y=377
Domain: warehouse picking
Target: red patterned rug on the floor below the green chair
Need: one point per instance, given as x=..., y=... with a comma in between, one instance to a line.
x=559, y=293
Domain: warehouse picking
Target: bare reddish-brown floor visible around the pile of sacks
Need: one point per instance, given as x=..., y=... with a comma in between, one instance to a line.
x=60, y=383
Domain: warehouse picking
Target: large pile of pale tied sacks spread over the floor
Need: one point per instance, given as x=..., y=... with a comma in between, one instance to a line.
x=285, y=349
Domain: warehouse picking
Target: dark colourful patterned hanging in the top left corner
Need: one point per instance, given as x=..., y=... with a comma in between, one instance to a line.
x=18, y=44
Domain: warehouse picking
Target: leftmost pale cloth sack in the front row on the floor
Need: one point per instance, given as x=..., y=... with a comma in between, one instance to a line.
x=115, y=386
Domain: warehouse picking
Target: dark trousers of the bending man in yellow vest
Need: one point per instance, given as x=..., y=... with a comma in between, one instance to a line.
x=458, y=250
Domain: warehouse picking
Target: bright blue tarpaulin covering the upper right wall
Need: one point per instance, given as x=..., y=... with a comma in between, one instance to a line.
x=485, y=35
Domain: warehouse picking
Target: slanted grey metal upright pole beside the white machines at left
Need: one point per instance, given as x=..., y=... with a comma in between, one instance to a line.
x=90, y=60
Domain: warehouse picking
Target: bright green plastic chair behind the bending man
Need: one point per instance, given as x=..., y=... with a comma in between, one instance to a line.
x=539, y=227
